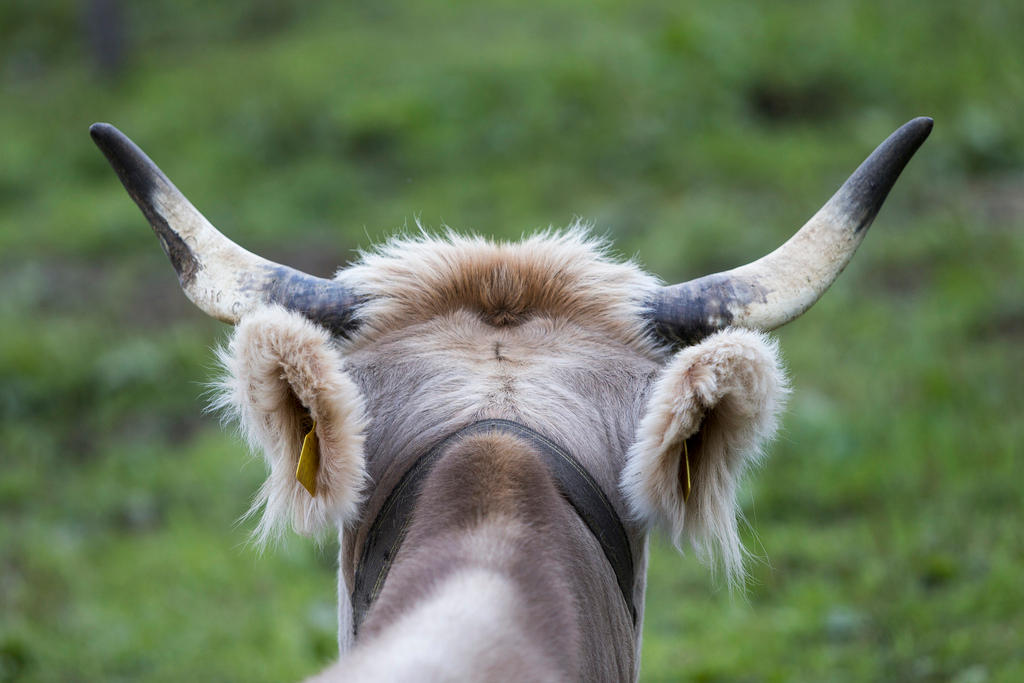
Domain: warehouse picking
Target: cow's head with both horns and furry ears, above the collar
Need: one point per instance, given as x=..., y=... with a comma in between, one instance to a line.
x=665, y=394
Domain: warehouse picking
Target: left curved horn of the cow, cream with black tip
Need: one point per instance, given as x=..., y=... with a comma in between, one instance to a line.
x=220, y=277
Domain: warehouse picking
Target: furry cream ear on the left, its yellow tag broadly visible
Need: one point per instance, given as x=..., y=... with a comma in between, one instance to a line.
x=282, y=374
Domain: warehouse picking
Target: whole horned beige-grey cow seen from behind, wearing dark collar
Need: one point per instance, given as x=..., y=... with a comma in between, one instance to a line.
x=493, y=429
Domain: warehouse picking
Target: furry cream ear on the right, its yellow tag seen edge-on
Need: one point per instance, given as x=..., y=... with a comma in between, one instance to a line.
x=721, y=399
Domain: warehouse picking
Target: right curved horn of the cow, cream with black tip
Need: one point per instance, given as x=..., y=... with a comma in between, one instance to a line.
x=780, y=287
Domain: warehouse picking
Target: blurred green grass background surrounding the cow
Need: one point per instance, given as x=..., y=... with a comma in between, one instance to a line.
x=697, y=137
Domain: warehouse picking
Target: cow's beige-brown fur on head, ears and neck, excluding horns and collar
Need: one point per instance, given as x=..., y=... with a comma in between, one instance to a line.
x=498, y=577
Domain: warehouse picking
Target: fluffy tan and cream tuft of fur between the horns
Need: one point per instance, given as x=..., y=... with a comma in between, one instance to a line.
x=568, y=276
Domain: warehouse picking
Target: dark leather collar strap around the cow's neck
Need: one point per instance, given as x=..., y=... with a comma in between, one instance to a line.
x=572, y=479
